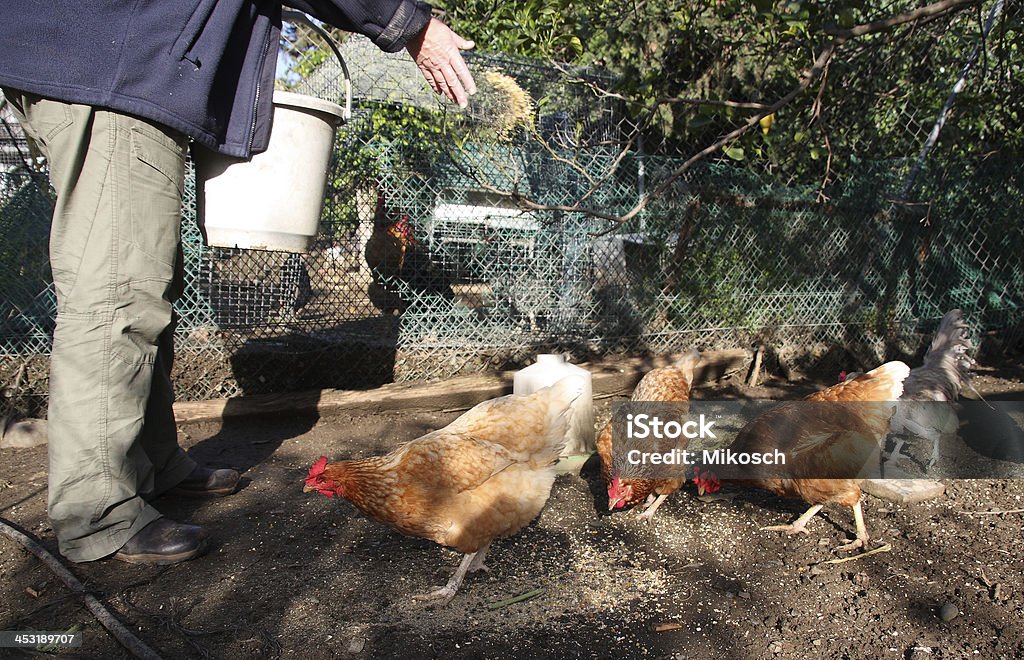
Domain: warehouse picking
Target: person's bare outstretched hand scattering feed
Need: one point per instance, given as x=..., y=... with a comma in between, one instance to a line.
x=437, y=53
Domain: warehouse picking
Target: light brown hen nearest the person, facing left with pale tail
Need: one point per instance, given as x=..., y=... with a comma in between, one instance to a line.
x=485, y=476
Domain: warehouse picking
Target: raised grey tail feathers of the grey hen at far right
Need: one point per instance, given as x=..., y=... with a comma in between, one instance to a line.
x=947, y=367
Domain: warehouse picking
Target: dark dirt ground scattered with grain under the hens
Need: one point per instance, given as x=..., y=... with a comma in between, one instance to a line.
x=295, y=575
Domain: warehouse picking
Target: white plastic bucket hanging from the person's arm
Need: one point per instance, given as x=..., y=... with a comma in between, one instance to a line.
x=273, y=201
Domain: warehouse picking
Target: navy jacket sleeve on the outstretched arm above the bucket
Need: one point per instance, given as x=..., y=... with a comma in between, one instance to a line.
x=390, y=24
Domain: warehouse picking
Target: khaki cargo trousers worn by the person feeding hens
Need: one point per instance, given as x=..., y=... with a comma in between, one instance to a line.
x=115, y=255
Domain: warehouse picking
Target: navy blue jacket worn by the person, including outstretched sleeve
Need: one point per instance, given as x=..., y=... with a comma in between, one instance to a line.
x=204, y=68
